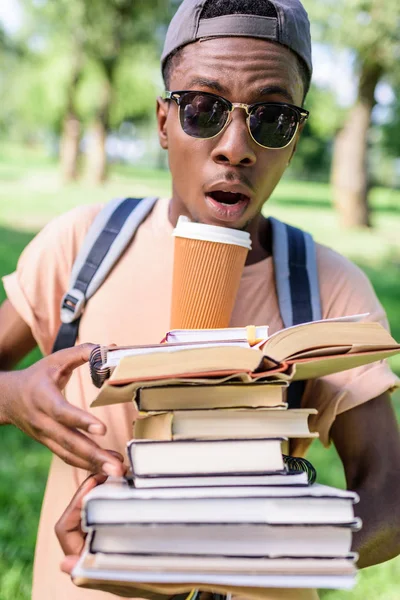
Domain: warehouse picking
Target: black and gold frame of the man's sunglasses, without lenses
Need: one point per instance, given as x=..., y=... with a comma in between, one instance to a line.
x=303, y=114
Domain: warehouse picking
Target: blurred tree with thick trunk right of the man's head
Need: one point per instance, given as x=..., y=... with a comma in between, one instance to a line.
x=371, y=29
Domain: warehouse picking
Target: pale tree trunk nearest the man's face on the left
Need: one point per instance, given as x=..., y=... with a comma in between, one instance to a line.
x=96, y=158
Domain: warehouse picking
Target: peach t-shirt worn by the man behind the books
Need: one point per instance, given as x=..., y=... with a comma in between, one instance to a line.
x=132, y=307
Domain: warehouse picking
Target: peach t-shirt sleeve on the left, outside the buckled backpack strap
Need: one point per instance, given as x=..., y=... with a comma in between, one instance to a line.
x=42, y=275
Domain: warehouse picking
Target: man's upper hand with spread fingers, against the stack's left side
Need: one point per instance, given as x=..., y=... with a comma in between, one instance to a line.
x=31, y=399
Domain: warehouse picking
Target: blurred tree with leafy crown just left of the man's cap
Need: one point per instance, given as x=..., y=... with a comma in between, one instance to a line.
x=116, y=30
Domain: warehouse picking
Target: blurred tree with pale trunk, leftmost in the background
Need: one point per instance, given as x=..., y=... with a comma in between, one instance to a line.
x=53, y=32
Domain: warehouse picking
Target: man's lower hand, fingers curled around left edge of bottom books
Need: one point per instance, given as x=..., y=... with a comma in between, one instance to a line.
x=68, y=528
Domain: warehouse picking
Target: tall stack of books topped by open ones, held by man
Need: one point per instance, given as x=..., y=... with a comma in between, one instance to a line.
x=209, y=502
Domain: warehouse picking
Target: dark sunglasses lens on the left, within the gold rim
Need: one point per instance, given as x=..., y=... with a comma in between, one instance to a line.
x=202, y=115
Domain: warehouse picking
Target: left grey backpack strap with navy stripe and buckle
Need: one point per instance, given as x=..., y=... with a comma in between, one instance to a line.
x=106, y=240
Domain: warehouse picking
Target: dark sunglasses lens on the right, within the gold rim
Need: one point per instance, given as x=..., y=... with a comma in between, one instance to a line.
x=273, y=125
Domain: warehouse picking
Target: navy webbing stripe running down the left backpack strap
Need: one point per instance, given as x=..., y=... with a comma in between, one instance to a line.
x=68, y=332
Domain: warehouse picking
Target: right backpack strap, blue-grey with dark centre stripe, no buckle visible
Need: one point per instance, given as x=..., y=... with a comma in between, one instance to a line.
x=296, y=277
